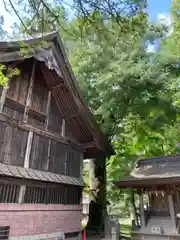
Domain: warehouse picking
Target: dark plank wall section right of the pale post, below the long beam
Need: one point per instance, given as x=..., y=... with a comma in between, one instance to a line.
x=62, y=159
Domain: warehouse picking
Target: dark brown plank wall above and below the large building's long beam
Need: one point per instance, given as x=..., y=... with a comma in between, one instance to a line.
x=45, y=154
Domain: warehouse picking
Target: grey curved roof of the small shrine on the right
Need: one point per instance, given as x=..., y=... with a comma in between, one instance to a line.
x=157, y=171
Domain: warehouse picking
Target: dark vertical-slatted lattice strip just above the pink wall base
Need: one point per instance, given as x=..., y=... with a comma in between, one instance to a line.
x=39, y=194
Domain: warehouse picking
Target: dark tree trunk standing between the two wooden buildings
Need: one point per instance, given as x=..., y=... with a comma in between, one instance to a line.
x=97, y=207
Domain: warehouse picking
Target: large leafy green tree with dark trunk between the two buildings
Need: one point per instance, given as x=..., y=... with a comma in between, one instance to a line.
x=128, y=90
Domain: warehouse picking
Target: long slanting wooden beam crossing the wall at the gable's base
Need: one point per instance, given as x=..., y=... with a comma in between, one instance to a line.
x=41, y=132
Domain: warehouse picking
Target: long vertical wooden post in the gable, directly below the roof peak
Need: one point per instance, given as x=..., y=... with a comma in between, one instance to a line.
x=30, y=90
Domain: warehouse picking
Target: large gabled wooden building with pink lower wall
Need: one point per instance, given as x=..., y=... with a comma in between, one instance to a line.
x=46, y=130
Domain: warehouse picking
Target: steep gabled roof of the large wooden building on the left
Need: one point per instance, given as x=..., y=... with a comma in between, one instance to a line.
x=55, y=58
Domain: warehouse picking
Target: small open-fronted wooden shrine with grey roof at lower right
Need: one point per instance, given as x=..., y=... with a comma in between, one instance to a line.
x=157, y=182
